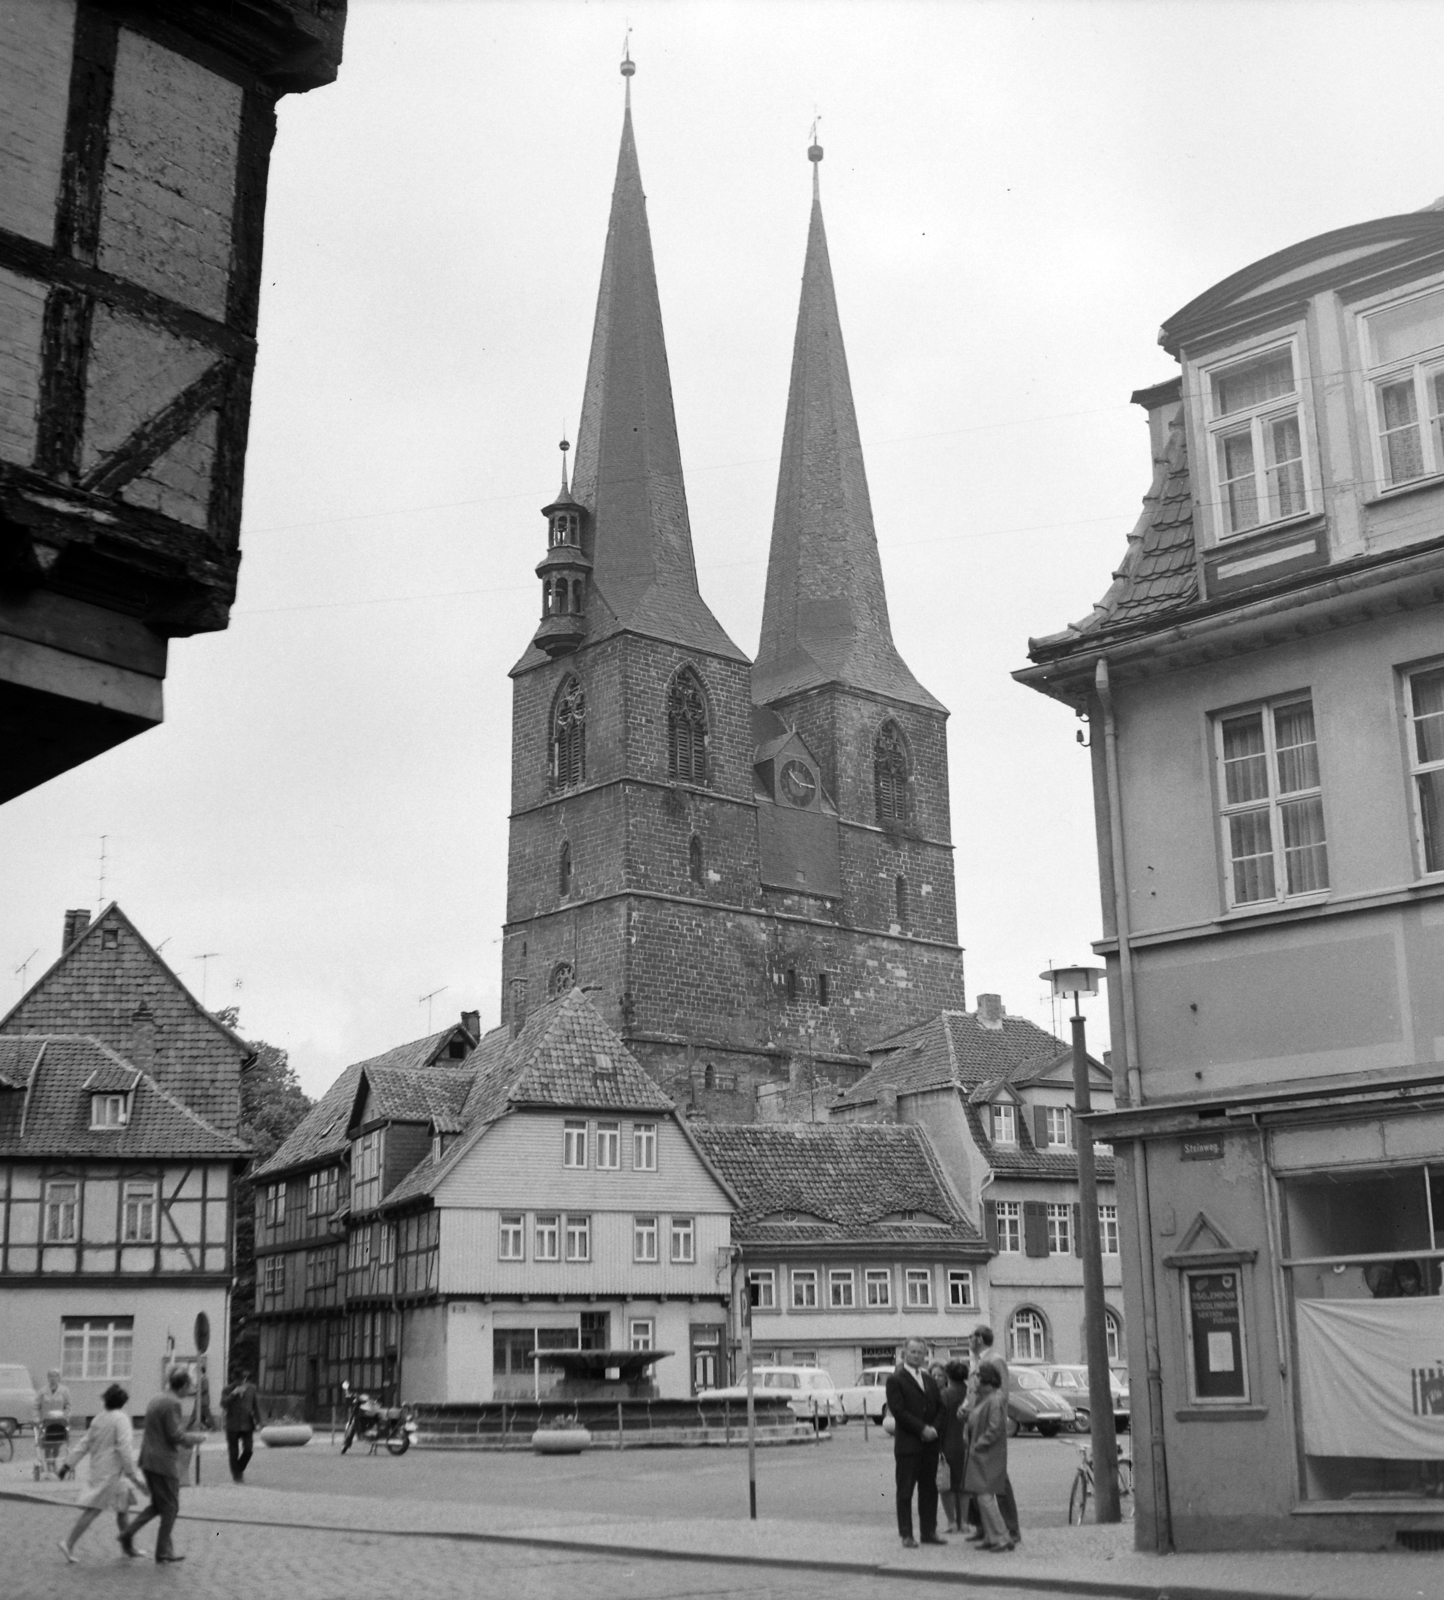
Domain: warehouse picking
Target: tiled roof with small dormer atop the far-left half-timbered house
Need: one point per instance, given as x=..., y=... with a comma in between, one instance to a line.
x=57, y=1108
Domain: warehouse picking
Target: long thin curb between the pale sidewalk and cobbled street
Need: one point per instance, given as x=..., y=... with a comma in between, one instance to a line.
x=992, y=1578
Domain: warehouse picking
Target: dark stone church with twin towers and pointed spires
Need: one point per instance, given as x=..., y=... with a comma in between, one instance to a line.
x=745, y=863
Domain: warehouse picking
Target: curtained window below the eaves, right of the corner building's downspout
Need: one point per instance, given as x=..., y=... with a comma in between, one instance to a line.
x=1272, y=804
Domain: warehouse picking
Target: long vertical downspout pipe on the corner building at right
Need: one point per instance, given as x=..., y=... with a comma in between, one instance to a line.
x=1123, y=930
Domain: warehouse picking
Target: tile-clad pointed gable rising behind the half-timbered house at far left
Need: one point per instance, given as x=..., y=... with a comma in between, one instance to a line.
x=97, y=991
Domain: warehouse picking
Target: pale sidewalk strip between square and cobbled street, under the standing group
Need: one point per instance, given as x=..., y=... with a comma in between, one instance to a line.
x=1085, y=1561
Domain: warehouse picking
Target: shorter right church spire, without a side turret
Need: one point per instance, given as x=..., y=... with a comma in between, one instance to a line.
x=825, y=614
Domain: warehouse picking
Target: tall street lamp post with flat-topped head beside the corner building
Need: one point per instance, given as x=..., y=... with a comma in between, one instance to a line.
x=1080, y=982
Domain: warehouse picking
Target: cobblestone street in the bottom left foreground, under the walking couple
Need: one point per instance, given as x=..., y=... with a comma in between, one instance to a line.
x=235, y=1562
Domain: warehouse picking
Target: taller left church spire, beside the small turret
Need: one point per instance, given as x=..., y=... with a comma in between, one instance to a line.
x=628, y=471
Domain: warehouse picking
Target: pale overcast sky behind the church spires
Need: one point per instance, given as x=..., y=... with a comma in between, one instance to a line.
x=1016, y=196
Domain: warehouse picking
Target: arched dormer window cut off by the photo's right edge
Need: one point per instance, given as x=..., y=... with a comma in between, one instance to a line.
x=1406, y=378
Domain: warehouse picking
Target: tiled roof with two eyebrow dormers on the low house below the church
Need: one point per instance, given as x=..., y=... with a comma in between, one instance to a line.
x=844, y=1182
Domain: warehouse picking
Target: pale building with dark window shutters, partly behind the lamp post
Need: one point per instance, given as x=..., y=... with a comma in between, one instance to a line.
x=995, y=1098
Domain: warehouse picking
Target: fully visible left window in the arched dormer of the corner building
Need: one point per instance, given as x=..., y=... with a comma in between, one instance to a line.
x=1257, y=438
